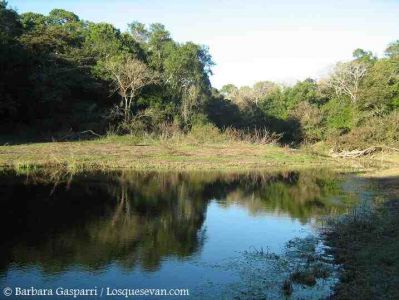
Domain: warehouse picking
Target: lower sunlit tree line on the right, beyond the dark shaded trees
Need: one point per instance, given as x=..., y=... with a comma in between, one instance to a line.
x=356, y=105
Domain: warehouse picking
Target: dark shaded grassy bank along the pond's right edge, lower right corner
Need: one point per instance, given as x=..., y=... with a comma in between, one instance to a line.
x=366, y=243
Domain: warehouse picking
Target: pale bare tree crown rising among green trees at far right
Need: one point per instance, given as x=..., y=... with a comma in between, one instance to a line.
x=346, y=79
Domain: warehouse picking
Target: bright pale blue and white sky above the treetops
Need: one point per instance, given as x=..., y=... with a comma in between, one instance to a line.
x=254, y=40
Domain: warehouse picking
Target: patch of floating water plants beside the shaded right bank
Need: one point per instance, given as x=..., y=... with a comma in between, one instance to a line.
x=304, y=270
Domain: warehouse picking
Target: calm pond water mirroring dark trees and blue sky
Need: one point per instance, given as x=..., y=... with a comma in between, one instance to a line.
x=205, y=232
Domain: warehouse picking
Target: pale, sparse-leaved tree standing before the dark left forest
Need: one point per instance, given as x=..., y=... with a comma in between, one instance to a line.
x=129, y=76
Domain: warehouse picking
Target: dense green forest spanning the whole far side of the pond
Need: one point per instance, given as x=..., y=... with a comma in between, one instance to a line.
x=62, y=75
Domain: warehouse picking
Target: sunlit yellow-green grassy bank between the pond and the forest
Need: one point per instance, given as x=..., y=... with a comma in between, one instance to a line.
x=121, y=152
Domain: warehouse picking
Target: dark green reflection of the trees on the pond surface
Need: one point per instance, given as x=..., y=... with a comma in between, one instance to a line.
x=138, y=219
